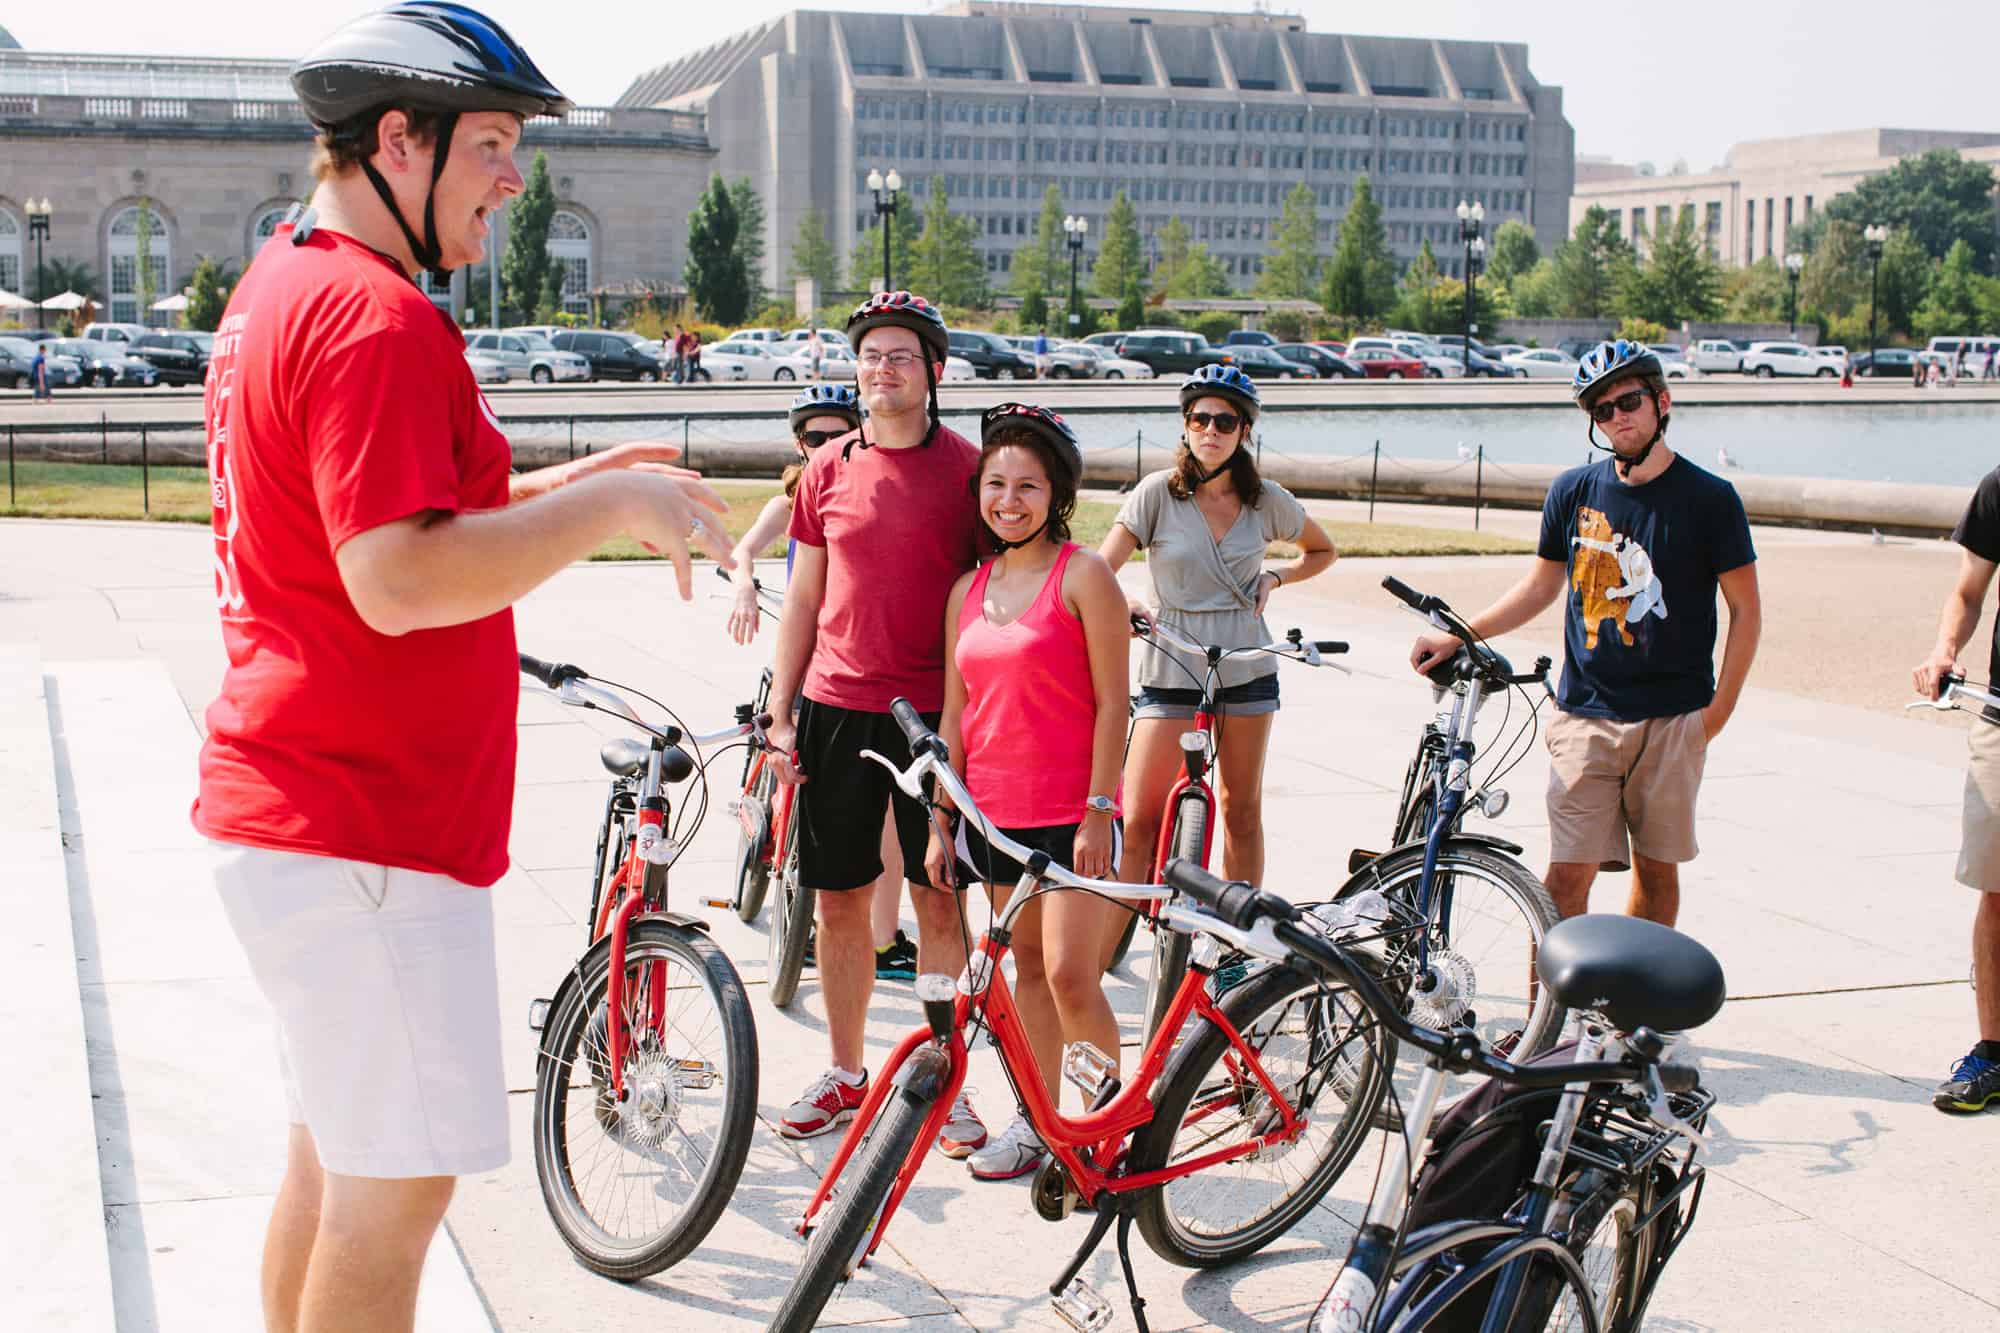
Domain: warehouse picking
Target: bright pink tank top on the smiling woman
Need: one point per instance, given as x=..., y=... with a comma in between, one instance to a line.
x=1031, y=710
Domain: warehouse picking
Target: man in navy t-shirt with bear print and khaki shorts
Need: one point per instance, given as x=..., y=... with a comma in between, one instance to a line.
x=1641, y=543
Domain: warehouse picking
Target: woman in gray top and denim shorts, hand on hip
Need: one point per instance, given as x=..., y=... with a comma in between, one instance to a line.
x=1205, y=527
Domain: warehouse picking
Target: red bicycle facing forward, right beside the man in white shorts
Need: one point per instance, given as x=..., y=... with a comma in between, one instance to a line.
x=647, y=1072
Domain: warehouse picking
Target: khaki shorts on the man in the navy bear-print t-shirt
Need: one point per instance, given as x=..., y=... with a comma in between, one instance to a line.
x=1623, y=788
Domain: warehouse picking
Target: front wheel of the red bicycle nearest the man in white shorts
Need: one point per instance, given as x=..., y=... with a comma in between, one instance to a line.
x=635, y=1184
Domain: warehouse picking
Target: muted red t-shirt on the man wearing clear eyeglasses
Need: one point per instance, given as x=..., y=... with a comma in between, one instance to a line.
x=899, y=527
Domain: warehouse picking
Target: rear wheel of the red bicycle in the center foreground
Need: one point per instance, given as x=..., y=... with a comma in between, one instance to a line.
x=1275, y=1010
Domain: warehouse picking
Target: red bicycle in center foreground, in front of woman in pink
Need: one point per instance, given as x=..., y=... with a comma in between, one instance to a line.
x=1237, y=1122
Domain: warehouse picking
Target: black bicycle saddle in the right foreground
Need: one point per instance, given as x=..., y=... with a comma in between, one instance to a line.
x=1637, y=974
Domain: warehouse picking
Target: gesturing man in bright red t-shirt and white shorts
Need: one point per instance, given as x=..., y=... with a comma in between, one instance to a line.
x=369, y=541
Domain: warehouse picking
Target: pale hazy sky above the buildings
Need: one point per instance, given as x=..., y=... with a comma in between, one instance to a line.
x=1641, y=83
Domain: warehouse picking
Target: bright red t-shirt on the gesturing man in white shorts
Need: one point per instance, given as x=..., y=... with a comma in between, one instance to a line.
x=339, y=399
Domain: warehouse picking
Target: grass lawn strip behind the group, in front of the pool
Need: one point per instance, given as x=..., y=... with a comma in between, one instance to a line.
x=181, y=495
